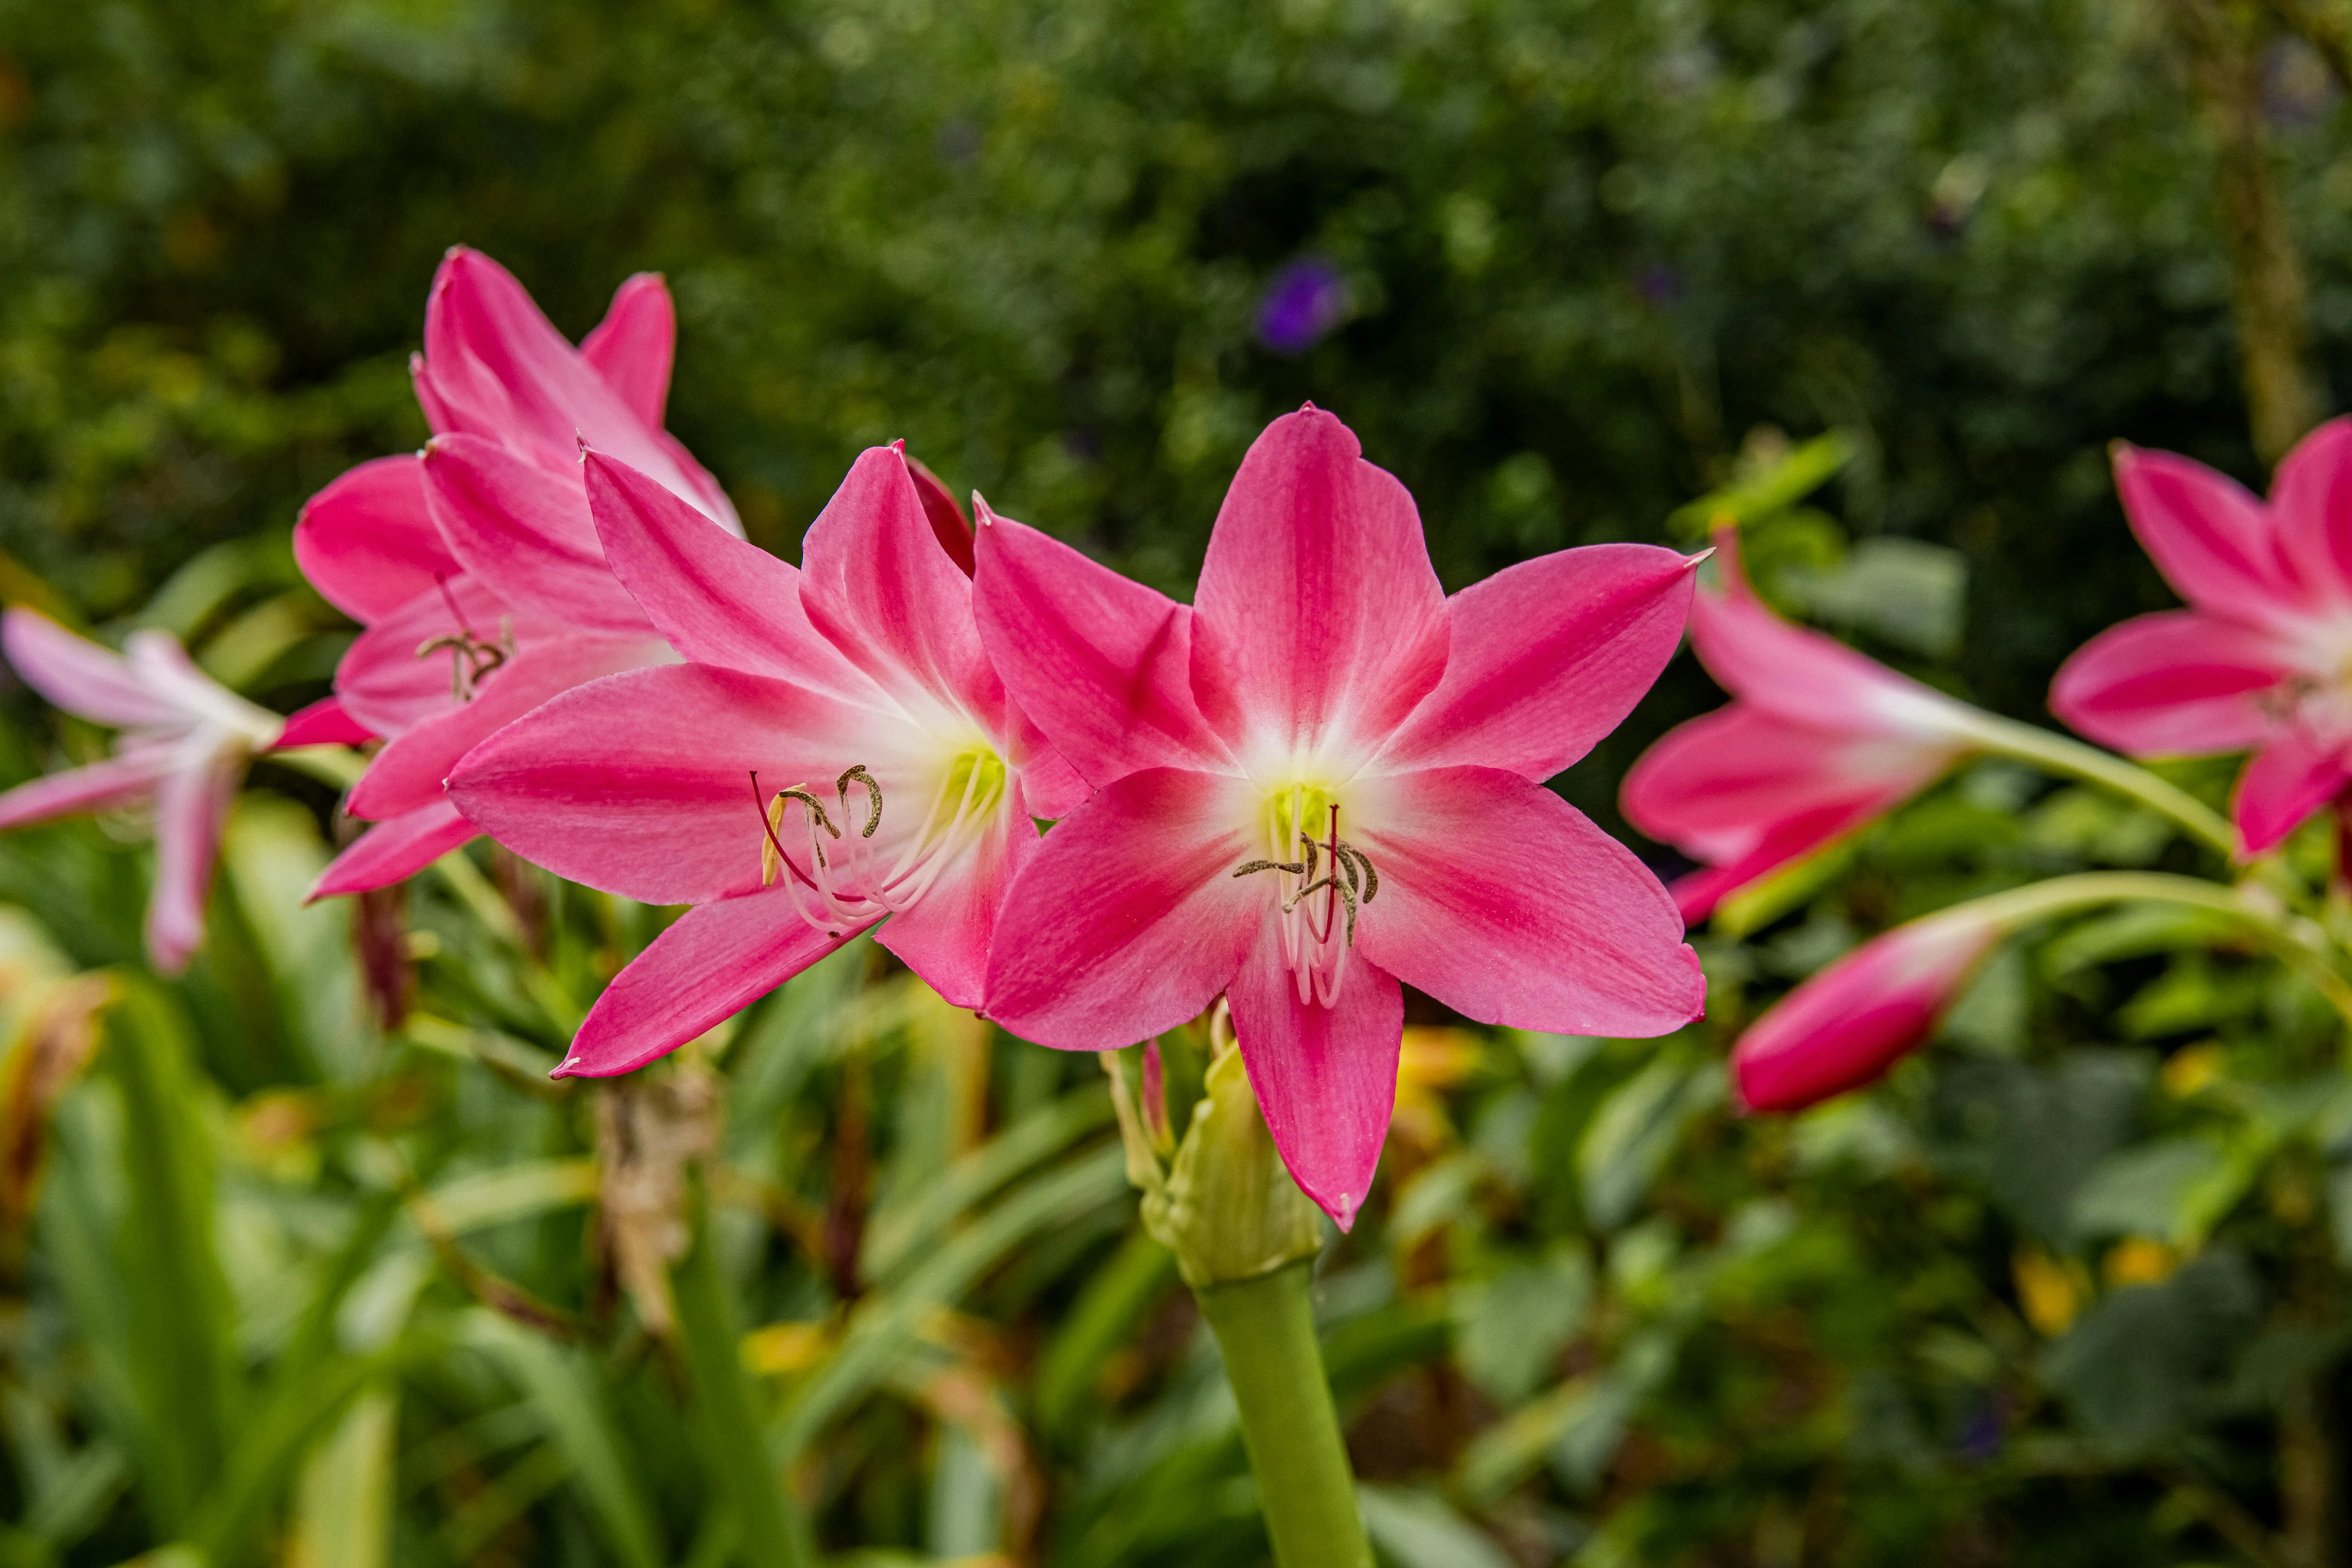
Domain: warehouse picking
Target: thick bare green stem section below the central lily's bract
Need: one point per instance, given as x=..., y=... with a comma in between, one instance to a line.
x=1267, y=1329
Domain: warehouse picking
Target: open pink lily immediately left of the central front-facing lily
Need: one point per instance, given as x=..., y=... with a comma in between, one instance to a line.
x=836, y=756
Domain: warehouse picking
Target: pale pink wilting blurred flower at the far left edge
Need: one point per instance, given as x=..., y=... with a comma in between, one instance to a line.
x=182, y=753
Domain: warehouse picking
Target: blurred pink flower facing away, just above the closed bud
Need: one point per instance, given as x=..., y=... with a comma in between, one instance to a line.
x=1815, y=744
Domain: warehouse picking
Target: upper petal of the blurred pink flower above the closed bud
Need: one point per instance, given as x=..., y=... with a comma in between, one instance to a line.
x=1805, y=676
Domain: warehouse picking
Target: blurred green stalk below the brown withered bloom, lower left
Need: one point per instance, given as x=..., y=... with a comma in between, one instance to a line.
x=773, y=1532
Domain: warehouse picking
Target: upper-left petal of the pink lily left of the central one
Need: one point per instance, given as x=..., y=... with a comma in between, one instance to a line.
x=714, y=596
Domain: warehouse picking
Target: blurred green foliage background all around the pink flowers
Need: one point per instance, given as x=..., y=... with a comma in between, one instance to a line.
x=293, y=1282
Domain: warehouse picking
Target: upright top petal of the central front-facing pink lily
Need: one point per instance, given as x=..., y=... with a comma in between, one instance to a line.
x=1318, y=622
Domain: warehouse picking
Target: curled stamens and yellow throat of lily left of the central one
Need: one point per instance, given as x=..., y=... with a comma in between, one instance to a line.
x=829, y=857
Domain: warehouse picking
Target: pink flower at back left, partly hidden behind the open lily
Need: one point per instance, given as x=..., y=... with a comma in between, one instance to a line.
x=476, y=565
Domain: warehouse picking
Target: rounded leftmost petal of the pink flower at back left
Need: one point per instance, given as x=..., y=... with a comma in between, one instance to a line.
x=368, y=542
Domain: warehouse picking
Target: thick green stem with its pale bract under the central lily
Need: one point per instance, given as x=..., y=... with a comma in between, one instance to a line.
x=1245, y=1240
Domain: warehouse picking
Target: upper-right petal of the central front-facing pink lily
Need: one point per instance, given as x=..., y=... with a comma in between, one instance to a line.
x=1549, y=657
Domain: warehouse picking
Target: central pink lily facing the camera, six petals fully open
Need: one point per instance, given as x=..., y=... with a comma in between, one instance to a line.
x=1321, y=782
